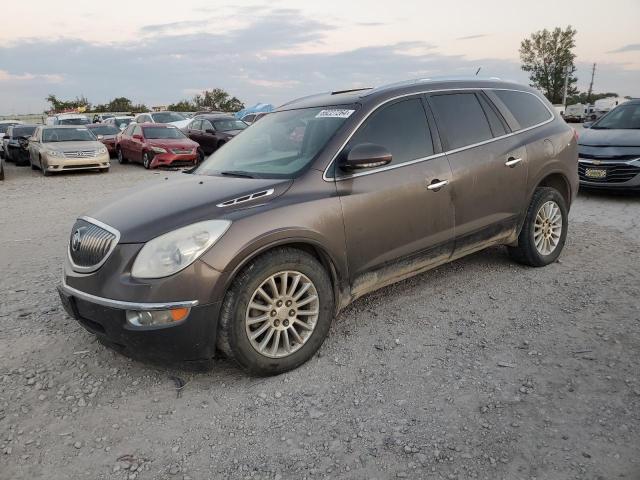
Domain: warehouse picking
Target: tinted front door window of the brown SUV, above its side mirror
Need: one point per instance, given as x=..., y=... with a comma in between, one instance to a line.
x=401, y=128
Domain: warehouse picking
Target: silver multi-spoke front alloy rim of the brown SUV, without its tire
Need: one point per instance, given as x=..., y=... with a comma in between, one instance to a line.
x=282, y=314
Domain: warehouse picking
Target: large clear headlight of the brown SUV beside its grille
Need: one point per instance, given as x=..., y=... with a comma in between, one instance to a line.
x=173, y=251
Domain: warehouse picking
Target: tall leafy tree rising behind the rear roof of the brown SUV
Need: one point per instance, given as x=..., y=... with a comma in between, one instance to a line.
x=547, y=56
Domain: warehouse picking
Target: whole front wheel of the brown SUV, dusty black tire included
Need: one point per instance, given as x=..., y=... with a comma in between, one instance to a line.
x=233, y=331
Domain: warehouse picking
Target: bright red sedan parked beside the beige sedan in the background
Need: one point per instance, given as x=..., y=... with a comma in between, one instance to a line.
x=156, y=145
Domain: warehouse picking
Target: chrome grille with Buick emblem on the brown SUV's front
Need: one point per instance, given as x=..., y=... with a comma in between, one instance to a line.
x=90, y=245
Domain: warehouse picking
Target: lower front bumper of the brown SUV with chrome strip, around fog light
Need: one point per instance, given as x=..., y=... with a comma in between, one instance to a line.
x=193, y=338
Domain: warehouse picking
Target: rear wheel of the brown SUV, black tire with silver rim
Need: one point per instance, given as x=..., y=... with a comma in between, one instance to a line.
x=545, y=200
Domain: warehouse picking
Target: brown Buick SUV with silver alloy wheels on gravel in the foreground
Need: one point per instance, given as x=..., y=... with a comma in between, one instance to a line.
x=322, y=201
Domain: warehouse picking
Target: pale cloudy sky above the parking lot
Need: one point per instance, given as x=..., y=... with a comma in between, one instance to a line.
x=159, y=52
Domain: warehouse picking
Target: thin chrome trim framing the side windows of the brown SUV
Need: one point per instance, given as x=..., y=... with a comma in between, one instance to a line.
x=326, y=178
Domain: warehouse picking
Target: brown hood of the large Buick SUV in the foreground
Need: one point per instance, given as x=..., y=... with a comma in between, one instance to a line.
x=162, y=205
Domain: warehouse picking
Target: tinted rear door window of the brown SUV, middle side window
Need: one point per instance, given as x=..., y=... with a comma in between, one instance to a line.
x=462, y=119
